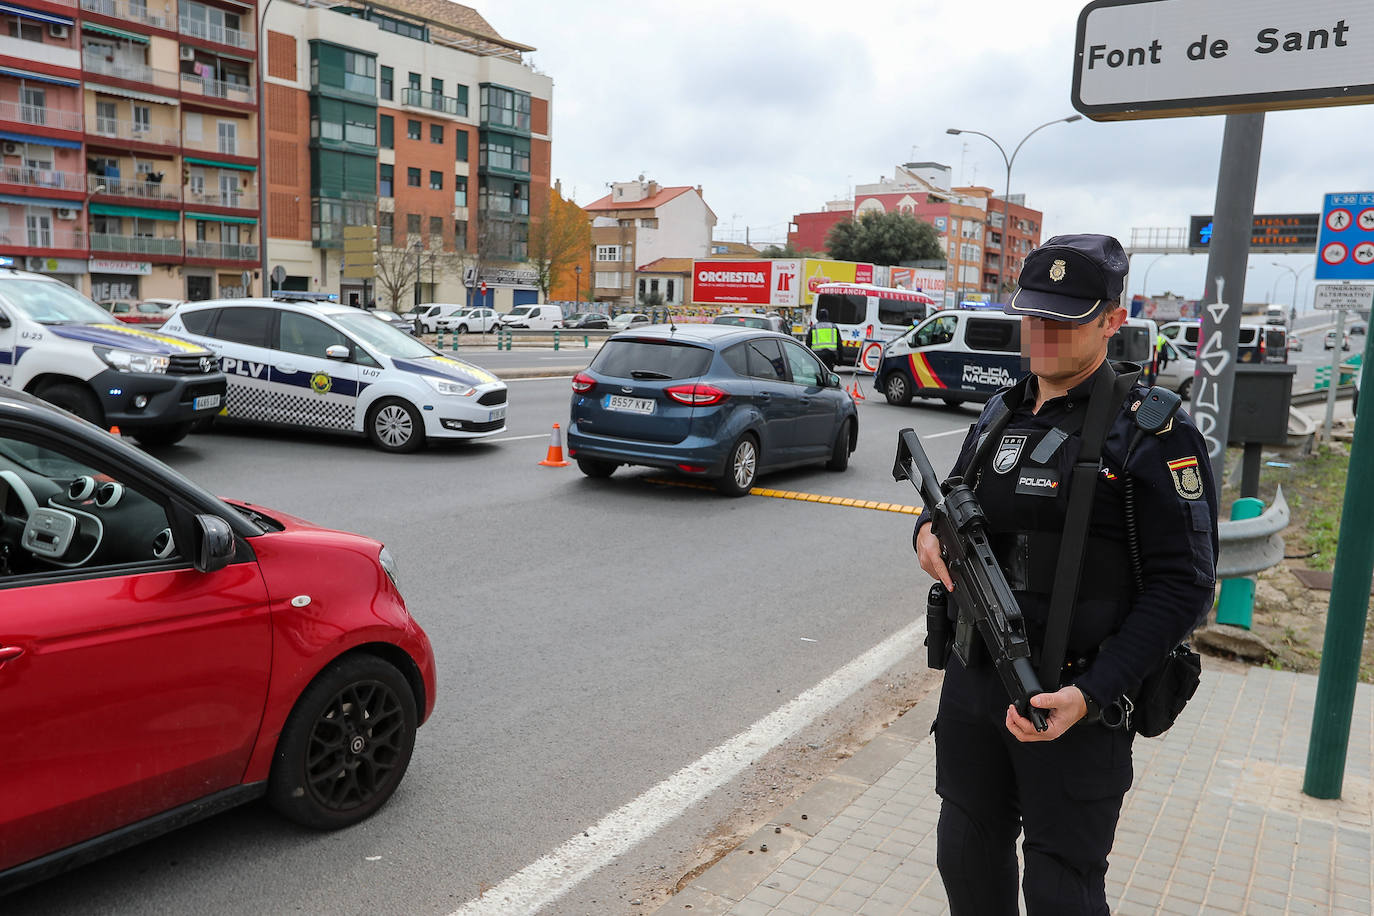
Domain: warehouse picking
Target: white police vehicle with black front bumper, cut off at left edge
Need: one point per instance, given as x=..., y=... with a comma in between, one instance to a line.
x=64, y=348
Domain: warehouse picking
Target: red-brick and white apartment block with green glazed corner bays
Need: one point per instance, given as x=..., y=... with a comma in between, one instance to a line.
x=424, y=123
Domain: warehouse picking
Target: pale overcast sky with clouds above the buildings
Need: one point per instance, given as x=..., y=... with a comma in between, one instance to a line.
x=776, y=108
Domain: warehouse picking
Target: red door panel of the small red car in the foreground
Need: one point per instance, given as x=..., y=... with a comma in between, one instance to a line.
x=126, y=696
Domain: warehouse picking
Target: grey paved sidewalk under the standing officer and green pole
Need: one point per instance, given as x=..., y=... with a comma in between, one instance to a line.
x=1215, y=823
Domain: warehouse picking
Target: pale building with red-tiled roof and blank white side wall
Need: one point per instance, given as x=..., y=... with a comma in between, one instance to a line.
x=640, y=223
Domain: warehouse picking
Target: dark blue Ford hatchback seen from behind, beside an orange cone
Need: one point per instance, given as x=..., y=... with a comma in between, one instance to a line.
x=710, y=400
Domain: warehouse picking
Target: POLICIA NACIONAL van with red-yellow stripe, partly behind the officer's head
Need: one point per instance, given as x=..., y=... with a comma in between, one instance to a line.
x=967, y=355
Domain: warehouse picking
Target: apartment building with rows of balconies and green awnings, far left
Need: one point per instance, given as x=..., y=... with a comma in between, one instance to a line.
x=130, y=146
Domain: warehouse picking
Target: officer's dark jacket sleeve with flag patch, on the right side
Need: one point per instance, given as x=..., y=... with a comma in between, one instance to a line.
x=1177, y=514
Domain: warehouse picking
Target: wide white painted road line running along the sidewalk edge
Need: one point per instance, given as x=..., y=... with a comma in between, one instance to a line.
x=556, y=874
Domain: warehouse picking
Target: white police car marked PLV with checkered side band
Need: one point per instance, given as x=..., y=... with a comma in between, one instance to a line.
x=337, y=369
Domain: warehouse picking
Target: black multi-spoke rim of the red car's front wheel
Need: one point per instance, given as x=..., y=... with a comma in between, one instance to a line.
x=355, y=746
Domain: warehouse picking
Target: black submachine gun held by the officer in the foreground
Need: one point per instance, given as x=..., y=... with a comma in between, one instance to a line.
x=982, y=593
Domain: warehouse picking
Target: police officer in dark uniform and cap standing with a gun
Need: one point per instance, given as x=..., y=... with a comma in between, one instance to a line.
x=995, y=774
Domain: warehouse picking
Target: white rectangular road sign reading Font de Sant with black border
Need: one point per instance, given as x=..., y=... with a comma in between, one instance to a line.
x=1170, y=58
